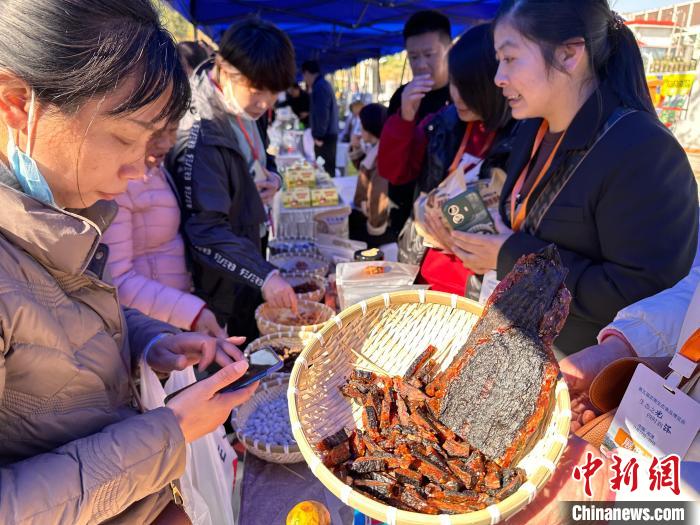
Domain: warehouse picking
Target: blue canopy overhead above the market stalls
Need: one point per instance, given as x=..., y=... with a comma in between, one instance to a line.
x=336, y=33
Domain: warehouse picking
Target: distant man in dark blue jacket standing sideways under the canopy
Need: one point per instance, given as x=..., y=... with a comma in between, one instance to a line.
x=324, y=114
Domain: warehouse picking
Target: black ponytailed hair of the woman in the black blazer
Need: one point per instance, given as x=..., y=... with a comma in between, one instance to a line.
x=612, y=47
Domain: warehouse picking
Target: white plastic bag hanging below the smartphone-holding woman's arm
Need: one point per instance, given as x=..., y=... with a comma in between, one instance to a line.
x=207, y=483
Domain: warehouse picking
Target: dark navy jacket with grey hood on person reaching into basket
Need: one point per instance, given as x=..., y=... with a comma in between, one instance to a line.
x=222, y=210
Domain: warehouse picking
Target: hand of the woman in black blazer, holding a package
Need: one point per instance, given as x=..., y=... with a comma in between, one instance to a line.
x=479, y=252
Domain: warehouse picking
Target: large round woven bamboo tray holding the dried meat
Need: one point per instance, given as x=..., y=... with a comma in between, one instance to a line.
x=389, y=332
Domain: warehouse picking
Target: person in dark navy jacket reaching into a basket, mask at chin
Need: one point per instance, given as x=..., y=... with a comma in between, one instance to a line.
x=225, y=178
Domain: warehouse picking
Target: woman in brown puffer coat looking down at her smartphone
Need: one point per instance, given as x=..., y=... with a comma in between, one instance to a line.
x=83, y=85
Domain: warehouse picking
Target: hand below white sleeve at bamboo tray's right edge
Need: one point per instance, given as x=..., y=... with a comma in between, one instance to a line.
x=580, y=369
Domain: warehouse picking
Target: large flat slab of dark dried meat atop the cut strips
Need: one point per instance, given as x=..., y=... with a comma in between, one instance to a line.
x=496, y=393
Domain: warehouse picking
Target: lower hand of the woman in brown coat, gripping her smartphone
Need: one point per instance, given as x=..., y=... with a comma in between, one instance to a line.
x=200, y=409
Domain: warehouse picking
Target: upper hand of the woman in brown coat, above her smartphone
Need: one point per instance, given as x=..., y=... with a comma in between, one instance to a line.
x=178, y=351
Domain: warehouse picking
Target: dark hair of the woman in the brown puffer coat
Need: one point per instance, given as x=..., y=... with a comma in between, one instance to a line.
x=70, y=51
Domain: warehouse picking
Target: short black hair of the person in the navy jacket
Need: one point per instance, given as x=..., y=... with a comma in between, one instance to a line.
x=262, y=52
